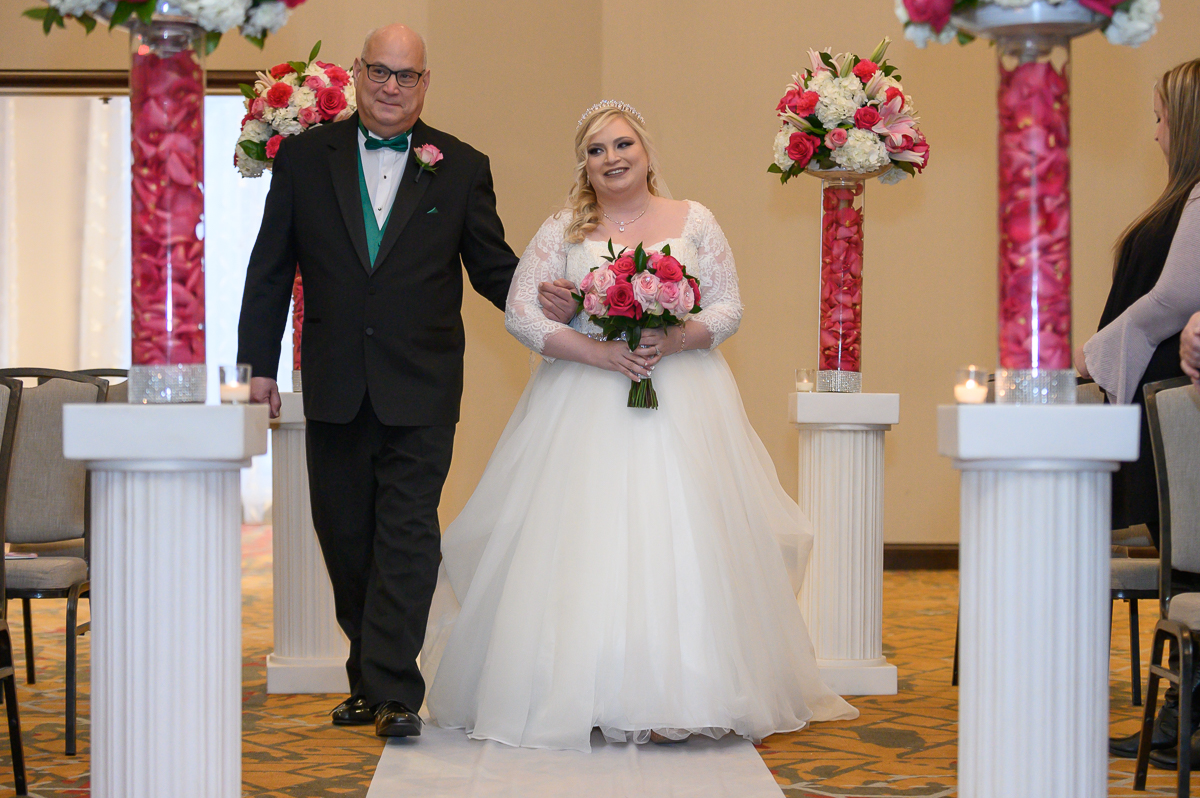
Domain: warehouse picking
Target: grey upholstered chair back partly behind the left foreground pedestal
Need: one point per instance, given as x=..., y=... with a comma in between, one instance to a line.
x=47, y=497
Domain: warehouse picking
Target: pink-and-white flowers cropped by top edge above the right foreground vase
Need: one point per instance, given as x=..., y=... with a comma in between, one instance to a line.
x=1130, y=22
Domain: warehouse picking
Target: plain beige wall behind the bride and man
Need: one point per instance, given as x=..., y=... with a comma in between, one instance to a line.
x=513, y=77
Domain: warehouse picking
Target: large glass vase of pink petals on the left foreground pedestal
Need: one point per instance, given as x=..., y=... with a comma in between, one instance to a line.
x=167, y=115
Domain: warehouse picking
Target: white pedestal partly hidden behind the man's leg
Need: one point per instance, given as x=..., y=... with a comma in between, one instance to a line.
x=310, y=649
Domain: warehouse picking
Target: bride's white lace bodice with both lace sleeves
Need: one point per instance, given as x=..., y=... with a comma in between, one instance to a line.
x=703, y=249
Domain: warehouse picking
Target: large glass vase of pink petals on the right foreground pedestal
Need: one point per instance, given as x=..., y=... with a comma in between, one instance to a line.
x=1034, y=106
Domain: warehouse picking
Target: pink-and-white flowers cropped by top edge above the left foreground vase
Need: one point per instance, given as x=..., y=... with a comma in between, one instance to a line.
x=254, y=19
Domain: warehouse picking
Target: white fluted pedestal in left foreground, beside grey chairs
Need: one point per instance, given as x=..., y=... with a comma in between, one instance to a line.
x=166, y=593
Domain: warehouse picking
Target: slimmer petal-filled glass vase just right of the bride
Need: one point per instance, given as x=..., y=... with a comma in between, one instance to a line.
x=841, y=345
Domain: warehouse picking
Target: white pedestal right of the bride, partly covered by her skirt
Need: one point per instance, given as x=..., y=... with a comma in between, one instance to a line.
x=842, y=493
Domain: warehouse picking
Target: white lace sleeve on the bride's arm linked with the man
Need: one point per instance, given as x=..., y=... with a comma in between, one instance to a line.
x=544, y=260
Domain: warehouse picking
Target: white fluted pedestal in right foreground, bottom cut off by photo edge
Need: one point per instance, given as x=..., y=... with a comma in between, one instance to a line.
x=1034, y=614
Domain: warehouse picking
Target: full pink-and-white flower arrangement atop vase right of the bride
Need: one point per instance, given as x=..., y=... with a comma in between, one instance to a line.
x=849, y=113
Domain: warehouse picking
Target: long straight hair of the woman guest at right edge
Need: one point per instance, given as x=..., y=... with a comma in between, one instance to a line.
x=1180, y=93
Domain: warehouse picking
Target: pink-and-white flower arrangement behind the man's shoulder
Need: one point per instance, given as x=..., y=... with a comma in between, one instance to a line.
x=287, y=100
